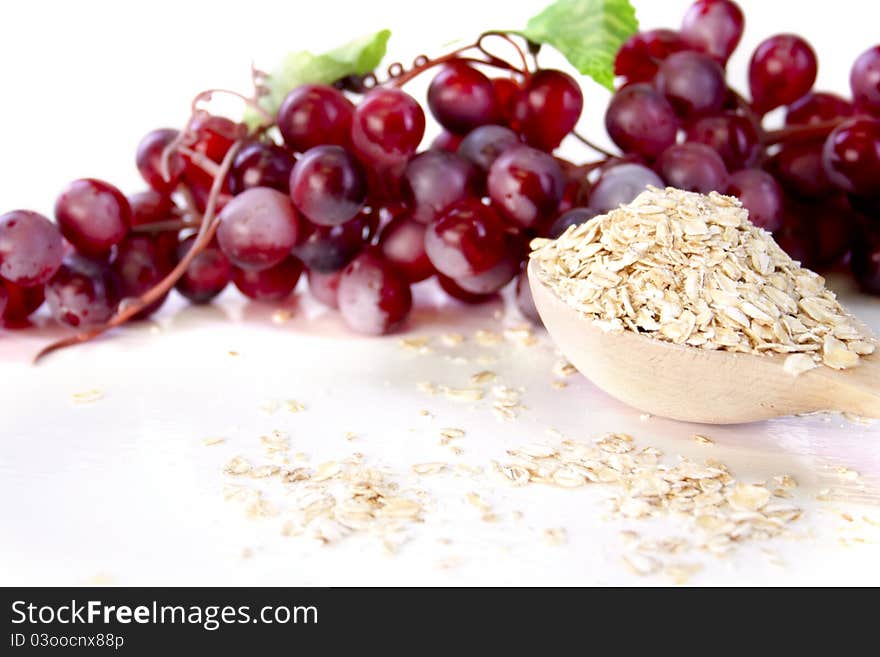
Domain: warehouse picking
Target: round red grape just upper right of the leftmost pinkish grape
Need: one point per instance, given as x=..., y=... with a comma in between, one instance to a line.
x=93, y=216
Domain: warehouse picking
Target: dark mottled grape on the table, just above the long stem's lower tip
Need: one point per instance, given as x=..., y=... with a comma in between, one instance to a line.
x=83, y=292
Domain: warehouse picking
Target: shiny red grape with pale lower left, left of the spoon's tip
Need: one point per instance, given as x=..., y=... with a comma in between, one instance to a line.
x=468, y=239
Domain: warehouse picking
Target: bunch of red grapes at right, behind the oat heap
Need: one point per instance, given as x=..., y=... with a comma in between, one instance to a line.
x=815, y=183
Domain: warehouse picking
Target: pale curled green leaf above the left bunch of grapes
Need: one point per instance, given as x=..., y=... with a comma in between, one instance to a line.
x=354, y=58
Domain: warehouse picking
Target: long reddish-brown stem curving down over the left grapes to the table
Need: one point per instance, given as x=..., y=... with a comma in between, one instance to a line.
x=131, y=306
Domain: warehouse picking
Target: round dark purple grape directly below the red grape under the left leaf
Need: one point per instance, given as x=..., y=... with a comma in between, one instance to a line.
x=328, y=185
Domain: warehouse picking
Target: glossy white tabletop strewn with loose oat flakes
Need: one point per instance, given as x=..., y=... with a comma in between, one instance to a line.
x=123, y=490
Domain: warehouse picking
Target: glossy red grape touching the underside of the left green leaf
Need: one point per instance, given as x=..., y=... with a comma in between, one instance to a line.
x=315, y=115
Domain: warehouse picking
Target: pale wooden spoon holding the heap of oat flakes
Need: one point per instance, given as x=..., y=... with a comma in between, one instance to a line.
x=696, y=385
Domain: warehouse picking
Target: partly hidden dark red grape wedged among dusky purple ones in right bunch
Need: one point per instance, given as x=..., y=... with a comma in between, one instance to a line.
x=734, y=136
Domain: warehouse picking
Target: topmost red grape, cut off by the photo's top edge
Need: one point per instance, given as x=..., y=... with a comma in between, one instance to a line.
x=714, y=27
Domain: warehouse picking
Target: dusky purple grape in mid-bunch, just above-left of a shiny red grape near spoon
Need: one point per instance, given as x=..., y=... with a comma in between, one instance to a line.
x=434, y=180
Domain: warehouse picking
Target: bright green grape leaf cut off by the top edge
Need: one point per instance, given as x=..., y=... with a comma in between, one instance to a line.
x=587, y=32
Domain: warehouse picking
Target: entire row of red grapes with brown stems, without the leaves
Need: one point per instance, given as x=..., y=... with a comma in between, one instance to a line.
x=338, y=188
